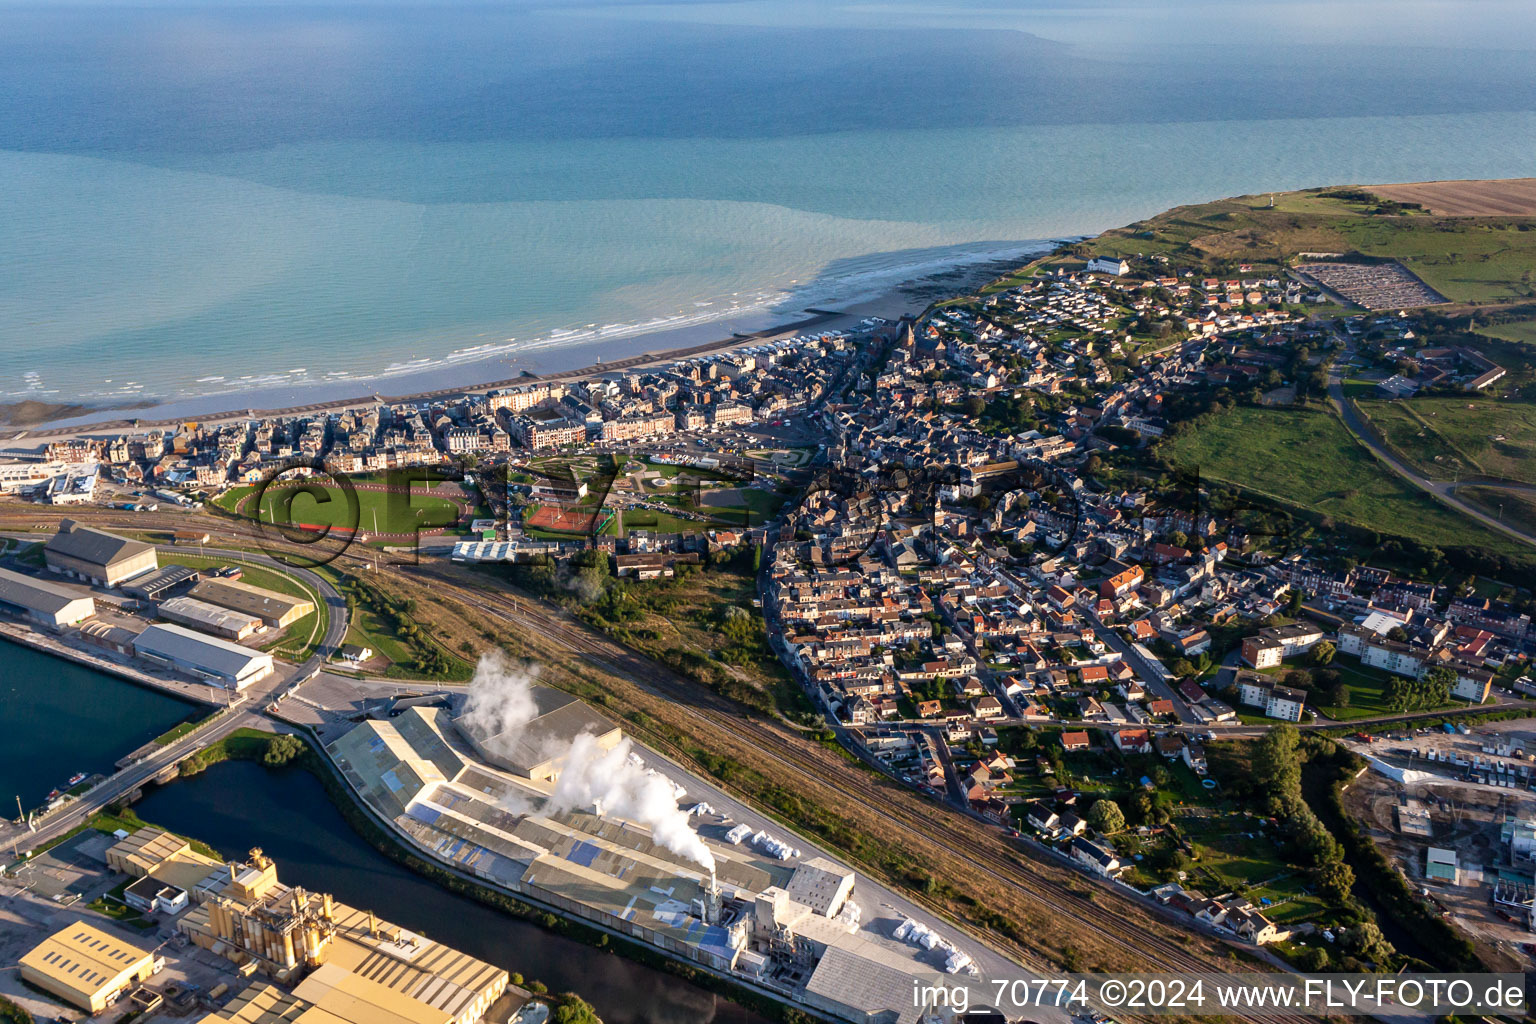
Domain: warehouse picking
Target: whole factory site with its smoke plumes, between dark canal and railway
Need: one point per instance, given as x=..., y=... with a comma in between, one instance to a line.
x=538, y=794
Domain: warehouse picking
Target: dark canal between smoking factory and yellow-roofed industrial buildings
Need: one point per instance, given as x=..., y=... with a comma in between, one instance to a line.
x=240, y=805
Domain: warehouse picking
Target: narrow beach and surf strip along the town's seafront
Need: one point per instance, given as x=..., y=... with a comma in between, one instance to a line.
x=661, y=348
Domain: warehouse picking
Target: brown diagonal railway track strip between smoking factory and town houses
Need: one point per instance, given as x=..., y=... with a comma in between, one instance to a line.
x=993, y=854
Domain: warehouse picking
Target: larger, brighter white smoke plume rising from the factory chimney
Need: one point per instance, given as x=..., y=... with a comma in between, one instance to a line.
x=611, y=782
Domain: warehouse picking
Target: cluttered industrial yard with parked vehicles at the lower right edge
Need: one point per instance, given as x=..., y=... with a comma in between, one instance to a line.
x=1457, y=814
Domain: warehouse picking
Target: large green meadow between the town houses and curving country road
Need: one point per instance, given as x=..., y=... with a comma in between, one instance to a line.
x=1306, y=457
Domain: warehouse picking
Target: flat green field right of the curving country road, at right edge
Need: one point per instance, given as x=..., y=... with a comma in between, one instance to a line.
x=1462, y=437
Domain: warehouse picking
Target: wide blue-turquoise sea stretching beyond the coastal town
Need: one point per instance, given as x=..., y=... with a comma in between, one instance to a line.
x=210, y=203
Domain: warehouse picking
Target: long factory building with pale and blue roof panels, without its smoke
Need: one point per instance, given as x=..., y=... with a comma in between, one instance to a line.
x=787, y=927
